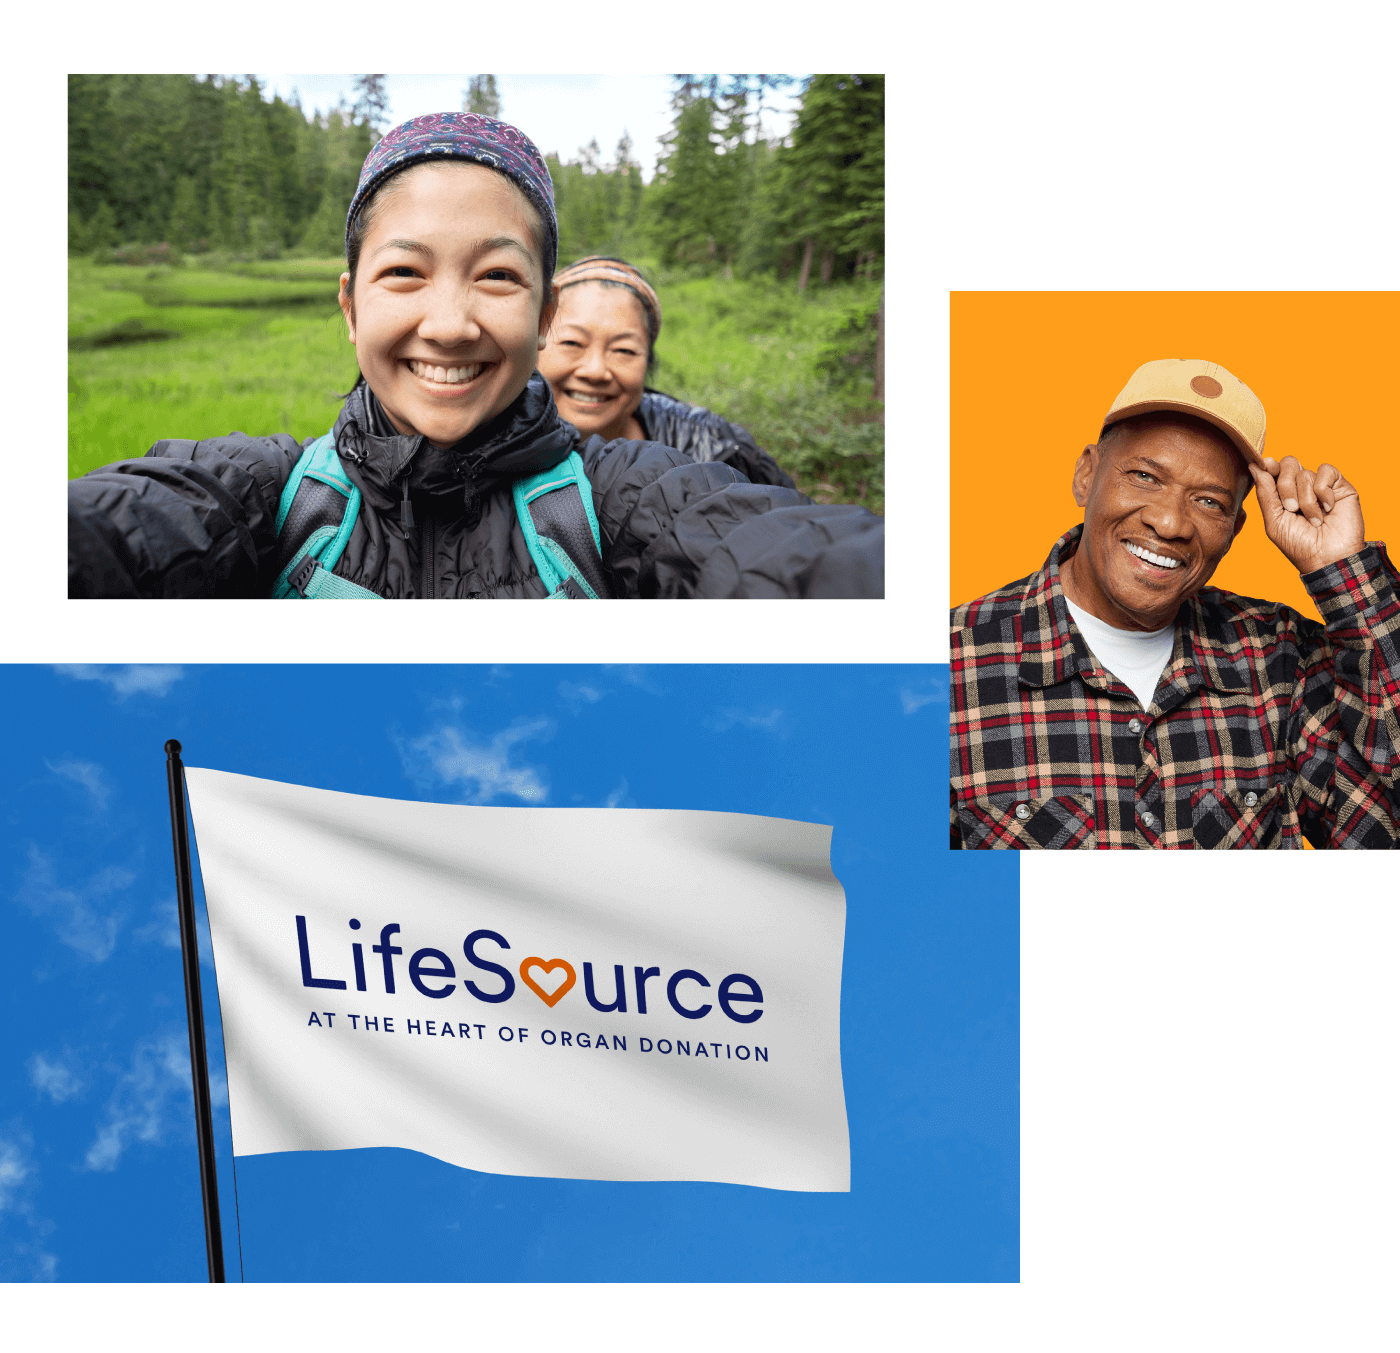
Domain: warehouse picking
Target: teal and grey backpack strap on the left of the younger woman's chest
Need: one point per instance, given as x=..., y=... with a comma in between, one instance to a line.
x=316, y=516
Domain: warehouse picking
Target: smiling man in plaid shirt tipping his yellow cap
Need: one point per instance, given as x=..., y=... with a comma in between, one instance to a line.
x=1114, y=701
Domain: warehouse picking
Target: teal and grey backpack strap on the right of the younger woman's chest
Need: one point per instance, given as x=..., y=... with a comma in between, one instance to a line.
x=556, y=515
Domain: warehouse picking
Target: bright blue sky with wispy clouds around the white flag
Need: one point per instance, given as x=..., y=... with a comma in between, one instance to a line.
x=99, y=1170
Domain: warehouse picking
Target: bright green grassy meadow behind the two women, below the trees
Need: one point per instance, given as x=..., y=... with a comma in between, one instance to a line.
x=261, y=348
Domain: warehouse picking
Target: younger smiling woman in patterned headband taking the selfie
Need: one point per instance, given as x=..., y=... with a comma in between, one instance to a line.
x=450, y=473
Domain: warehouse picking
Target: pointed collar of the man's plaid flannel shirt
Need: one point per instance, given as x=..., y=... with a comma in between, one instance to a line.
x=1053, y=651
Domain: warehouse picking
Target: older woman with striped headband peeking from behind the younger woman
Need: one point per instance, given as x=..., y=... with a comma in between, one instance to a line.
x=601, y=349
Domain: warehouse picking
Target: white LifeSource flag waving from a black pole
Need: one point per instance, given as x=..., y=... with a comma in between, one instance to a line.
x=590, y=994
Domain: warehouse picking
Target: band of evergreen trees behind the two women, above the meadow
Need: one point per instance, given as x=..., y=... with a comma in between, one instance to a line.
x=208, y=159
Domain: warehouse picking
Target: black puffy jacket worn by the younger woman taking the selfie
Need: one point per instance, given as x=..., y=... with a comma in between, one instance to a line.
x=198, y=520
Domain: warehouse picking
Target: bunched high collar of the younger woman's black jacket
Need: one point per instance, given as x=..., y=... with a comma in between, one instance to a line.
x=524, y=439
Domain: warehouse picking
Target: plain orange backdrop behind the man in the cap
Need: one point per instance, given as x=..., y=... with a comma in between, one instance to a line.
x=1031, y=376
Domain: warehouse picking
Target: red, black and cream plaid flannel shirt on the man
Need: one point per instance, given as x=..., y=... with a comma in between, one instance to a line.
x=1265, y=726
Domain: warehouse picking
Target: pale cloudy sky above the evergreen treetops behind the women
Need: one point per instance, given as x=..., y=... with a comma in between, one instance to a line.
x=558, y=113
